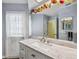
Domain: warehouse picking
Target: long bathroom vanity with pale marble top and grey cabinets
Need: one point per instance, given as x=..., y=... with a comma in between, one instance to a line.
x=35, y=49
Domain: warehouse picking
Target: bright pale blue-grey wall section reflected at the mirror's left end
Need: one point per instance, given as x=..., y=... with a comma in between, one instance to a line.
x=37, y=25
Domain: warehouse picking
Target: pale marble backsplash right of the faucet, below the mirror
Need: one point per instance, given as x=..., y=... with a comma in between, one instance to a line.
x=62, y=43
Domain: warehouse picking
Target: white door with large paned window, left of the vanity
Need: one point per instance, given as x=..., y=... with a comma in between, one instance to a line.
x=16, y=24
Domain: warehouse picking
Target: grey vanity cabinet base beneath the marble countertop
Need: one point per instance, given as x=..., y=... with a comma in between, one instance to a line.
x=28, y=53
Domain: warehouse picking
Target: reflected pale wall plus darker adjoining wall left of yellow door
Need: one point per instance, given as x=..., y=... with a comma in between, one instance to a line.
x=39, y=24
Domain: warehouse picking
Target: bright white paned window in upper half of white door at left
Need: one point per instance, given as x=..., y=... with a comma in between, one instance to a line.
x=15, y=24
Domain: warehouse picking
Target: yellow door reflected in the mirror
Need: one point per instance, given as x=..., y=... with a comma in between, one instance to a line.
x=52, y=28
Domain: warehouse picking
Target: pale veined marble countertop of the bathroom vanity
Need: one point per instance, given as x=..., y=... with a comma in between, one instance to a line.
x=55, y=51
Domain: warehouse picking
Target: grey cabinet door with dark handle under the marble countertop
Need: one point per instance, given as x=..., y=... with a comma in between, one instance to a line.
x=35, y=55
